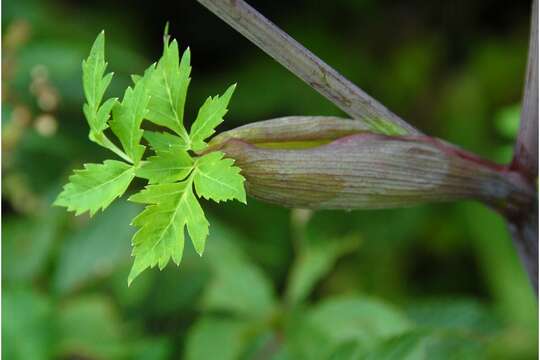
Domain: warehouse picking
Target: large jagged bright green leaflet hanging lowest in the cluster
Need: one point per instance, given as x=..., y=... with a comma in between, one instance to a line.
x=161, y=234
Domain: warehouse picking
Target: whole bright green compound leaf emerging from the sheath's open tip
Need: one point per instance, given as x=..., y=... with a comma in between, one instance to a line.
x=171, y=203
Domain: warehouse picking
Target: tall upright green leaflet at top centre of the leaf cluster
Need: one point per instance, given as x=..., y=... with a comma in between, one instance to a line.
x=168, y=88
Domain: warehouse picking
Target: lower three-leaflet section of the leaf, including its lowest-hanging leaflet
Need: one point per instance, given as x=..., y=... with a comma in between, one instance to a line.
x=173, y=206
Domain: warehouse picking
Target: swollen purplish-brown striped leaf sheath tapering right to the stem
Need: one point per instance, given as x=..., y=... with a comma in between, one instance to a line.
x=365, y=171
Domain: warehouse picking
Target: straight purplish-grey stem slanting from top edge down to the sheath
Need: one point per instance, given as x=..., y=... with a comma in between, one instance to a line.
x=303, y=63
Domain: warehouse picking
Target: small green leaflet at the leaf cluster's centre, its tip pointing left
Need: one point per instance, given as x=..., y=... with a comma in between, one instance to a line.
x=166, y=166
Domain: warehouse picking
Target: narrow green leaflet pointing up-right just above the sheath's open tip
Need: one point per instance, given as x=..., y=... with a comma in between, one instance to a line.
x=209, y=117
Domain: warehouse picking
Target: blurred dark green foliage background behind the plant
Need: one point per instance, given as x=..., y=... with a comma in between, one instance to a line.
x=430, y=282
